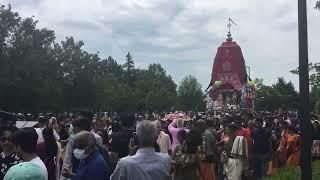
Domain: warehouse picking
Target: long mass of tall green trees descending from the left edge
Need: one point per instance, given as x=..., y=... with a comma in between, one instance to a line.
x=38, y=74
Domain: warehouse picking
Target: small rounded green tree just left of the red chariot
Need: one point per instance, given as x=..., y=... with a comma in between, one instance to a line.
x=190, y=94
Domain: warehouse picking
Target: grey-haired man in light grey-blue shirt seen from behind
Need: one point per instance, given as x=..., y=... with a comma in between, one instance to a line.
x=146, y=164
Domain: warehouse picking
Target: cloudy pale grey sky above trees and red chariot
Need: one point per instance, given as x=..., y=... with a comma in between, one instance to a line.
x=182, y=35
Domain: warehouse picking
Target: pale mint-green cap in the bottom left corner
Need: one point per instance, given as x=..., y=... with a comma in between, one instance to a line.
x=25, y=171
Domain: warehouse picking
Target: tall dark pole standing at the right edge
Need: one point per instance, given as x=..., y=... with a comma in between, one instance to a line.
x=304, y=110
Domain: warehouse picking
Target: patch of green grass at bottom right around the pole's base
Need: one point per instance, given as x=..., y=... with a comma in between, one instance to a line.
x=290, y=173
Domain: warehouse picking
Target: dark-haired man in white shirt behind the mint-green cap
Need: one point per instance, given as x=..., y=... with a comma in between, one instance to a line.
x=25, y=140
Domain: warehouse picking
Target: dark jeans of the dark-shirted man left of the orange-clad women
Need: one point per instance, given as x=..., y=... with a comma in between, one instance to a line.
x=259, y=165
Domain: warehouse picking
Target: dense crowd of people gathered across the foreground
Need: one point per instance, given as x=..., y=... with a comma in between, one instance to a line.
x=209, y=146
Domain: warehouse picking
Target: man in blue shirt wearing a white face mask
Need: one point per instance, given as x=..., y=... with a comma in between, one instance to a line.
x=92, y=164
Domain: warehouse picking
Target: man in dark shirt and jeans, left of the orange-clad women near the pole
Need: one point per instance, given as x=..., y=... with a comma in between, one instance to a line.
x=261, y=149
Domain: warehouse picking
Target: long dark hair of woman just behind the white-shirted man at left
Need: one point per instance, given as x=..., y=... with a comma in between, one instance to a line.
x=51, y=146
